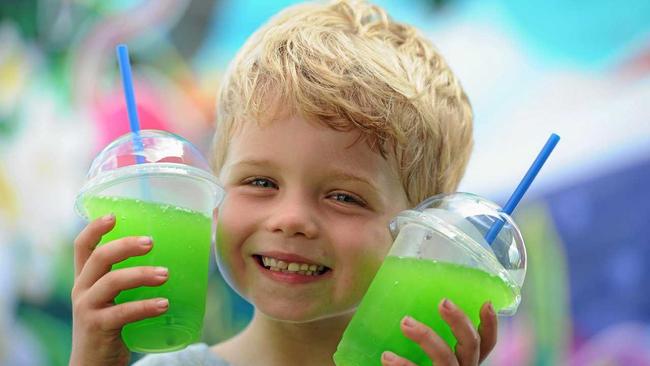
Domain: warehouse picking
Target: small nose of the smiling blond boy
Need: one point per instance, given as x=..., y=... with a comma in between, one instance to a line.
x=293, y=216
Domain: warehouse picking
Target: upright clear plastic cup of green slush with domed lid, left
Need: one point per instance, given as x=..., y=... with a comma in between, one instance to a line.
x=158, y=184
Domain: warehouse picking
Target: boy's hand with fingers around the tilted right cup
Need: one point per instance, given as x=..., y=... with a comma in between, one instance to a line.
x=472, y=346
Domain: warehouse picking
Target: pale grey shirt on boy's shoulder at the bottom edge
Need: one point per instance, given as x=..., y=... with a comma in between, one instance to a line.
x=197, y=354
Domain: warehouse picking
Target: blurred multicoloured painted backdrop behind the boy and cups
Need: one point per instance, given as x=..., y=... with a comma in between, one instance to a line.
x=578, y=68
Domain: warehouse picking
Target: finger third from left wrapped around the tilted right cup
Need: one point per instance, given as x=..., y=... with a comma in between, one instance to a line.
x=469, y=342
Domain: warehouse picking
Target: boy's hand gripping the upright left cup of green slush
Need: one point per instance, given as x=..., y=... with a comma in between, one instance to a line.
x=97, y=321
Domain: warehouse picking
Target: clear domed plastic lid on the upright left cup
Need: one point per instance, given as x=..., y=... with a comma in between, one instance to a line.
x=136, y=159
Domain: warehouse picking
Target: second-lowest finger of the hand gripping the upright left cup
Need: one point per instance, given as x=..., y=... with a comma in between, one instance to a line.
x=103, y=292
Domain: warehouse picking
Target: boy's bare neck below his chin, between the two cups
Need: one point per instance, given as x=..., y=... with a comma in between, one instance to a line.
x=268, y=342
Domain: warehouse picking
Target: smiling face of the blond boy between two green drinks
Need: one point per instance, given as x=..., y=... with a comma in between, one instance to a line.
x=304, y=193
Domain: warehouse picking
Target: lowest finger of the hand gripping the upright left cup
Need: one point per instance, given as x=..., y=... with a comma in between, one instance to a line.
x=116, y=316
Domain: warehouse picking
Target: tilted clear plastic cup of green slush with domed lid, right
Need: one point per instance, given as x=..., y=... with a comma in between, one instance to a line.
x=439, y=252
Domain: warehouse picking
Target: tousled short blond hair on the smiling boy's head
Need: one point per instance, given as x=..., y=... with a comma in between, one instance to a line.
x=349, y=66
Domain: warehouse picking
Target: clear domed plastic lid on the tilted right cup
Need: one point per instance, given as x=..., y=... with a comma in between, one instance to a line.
x=468, y=216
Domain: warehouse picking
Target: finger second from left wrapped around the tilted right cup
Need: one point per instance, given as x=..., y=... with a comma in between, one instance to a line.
x=430, y=342
